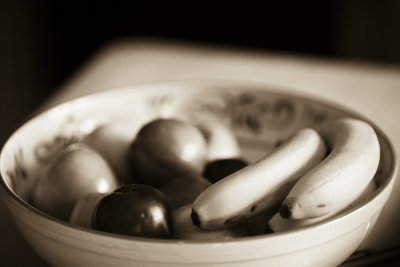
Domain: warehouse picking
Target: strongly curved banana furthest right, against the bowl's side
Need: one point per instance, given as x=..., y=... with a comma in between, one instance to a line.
x=341, y=177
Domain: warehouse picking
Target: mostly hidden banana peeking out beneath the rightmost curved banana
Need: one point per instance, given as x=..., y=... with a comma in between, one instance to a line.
x=279, y=224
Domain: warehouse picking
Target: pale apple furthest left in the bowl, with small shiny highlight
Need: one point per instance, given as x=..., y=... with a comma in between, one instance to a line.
x=76, y=171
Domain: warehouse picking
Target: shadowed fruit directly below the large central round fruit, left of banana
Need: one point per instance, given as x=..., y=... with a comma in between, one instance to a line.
x=184, y=190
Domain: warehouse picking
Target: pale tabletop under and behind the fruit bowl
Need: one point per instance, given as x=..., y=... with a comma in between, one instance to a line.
x=373, y=90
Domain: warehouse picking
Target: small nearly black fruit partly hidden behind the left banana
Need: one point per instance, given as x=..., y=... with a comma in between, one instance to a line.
x=219, y=169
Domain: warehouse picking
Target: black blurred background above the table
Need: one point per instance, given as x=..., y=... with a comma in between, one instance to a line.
x=42, y=42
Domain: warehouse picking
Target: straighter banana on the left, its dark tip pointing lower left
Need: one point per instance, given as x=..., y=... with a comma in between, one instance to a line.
x=259, y=186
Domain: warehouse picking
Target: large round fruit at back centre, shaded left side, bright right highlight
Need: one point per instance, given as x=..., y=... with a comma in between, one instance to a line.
x=165, y=149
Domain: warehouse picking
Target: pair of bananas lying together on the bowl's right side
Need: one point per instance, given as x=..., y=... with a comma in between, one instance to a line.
x=300, y=175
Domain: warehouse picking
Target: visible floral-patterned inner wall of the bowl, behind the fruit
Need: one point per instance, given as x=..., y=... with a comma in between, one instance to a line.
x=260, y=118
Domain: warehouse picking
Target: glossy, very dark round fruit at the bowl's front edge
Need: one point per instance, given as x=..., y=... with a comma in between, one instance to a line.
x=134, y=209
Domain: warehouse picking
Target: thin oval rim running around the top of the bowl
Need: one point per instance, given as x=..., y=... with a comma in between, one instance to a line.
x=229, y=85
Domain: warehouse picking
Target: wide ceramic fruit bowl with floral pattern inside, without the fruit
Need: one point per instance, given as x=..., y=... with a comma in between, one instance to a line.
x=260, y=116
